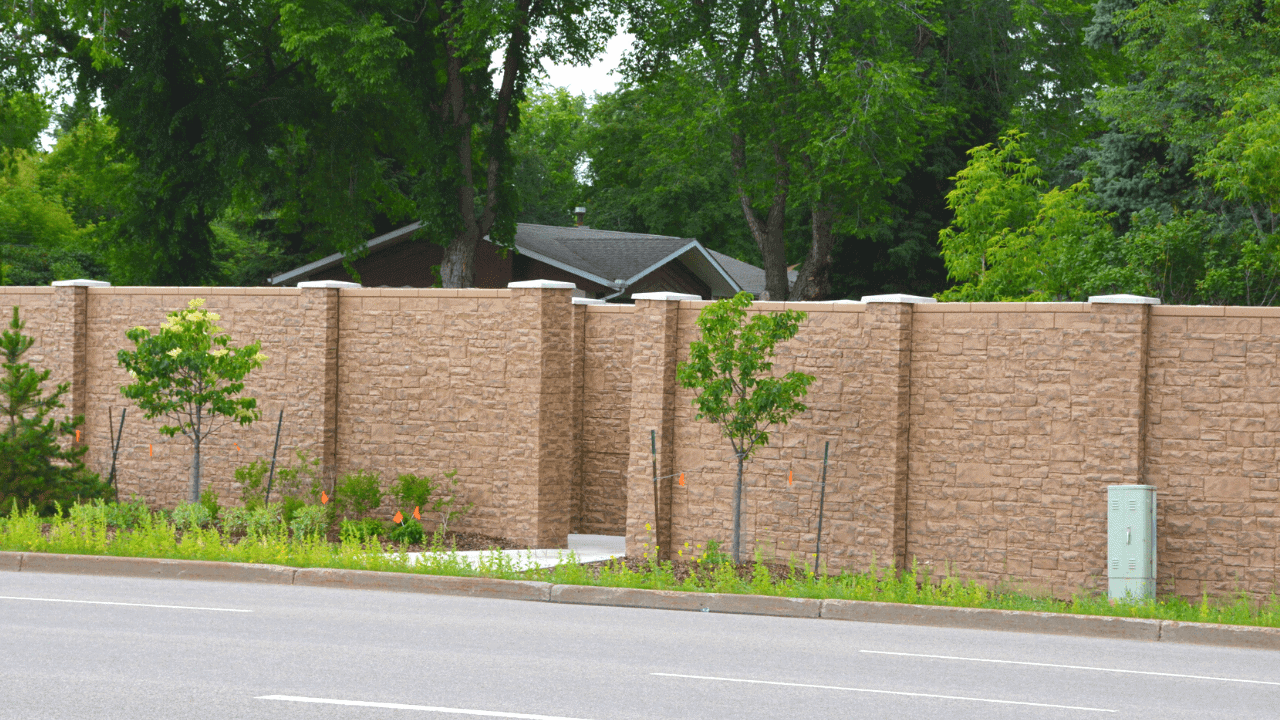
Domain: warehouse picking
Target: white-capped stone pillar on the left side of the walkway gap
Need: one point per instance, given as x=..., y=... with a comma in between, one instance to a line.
x=542, y=363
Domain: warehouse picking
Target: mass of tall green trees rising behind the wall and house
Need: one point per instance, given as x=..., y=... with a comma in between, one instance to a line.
x=990, y=149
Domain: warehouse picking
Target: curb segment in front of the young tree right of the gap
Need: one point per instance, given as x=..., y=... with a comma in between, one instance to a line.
x=689, y=601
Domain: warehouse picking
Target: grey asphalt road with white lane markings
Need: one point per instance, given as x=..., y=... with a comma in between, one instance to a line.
x=84, y=648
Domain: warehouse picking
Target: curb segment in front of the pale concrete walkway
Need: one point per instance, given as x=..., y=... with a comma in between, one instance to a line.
x=433, y=585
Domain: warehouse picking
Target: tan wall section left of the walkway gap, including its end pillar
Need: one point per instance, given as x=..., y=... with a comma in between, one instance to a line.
x=438, y=381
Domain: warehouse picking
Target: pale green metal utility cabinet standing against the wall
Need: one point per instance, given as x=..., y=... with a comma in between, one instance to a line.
x=1132, y=543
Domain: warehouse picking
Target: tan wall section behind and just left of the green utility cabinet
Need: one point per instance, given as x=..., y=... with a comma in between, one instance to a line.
x=1022, y=414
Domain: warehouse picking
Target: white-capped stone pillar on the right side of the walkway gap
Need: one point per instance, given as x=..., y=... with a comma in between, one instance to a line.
x=653, y=418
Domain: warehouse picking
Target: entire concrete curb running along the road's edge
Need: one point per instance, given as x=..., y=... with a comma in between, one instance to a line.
x=858, y=612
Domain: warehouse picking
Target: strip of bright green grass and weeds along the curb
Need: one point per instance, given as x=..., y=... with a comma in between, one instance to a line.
x=153, y=535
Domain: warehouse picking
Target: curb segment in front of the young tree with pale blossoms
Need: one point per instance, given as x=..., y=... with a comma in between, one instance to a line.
x=157, y=568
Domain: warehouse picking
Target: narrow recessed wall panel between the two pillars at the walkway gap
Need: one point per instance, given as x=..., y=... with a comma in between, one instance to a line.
x=605, y=418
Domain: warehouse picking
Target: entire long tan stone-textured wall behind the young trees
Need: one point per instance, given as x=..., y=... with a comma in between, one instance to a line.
x=977, y=438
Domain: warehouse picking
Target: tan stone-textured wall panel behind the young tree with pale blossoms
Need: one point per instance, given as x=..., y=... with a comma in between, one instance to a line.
x=292, y=379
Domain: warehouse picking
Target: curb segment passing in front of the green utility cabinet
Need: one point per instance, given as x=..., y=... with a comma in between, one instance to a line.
x=985, y=619
